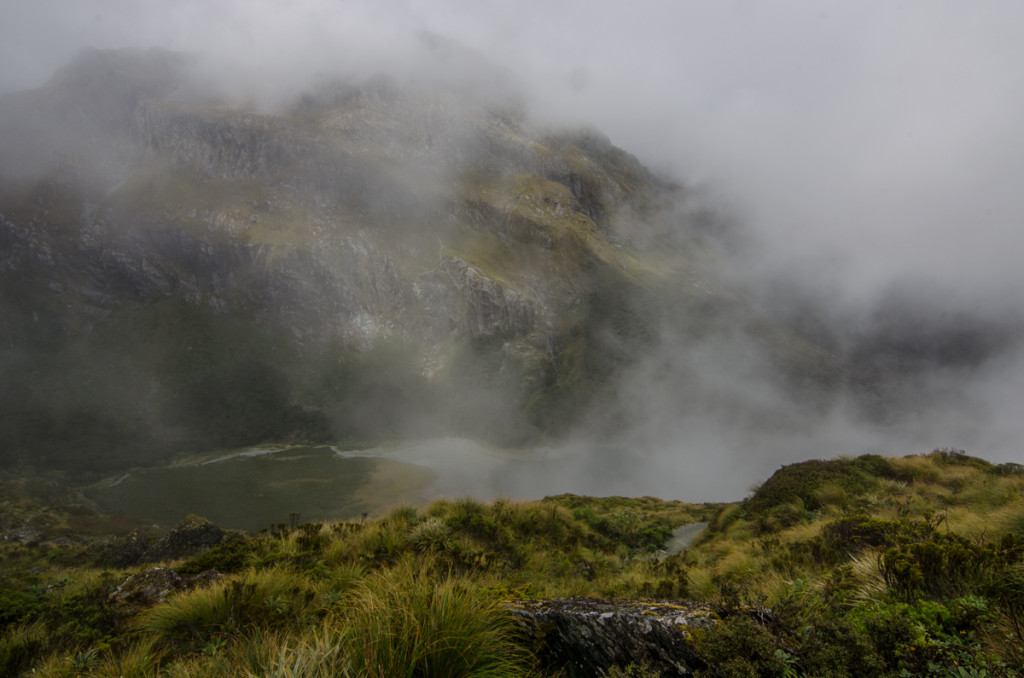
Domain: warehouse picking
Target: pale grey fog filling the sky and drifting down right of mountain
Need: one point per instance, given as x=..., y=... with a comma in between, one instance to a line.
x=864, y=150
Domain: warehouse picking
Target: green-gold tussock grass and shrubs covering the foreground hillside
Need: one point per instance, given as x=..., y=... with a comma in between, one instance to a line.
x=867, y=567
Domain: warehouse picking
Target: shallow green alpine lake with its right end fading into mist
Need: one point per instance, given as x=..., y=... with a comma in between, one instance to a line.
x=263, y=487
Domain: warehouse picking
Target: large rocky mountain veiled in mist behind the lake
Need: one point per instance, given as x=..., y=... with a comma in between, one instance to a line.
x=374, y=259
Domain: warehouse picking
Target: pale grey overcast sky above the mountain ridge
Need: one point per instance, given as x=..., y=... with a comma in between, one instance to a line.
x=870, y=142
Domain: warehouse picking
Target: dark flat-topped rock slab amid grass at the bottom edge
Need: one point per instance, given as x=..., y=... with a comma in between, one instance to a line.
x=588, y=637
